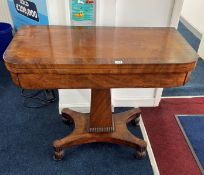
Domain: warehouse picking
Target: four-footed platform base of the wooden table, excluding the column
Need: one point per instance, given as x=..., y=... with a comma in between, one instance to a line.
x=82, y=135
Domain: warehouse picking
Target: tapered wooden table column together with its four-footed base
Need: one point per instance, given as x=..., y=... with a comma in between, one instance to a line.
x=100, y=126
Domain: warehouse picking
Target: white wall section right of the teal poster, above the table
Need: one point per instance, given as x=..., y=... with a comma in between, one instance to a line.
x=134, y=12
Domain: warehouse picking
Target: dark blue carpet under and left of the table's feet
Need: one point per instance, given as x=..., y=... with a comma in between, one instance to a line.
x=26, y=142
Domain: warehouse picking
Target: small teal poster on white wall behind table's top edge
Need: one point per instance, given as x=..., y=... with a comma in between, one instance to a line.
x=83, y=11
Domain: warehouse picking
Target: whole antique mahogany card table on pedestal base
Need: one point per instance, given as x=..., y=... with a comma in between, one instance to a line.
x=99, y=58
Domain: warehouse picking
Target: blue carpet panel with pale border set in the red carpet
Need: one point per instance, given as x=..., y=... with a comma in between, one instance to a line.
x=193, y=129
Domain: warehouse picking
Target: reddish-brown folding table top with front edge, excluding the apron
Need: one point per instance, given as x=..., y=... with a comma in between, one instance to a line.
x=99, y=49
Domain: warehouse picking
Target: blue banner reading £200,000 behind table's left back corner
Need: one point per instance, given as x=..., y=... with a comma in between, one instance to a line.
x=28, y=12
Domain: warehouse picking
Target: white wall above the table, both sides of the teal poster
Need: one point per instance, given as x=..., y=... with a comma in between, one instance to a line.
x=157, y=13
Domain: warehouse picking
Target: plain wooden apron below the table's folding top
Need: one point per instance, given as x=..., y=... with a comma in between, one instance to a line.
x=97, y=81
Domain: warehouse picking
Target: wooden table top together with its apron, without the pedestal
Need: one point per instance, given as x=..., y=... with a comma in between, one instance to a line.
x=91, y=54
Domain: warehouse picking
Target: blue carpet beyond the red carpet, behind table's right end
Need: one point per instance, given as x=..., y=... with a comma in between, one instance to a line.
x=195, y=86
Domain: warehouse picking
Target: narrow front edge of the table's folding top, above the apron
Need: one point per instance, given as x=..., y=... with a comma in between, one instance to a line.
x=105, y=69
